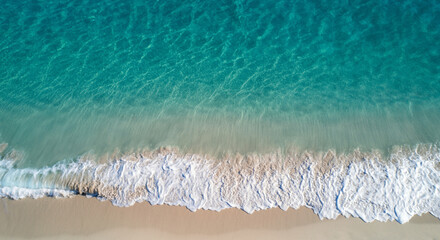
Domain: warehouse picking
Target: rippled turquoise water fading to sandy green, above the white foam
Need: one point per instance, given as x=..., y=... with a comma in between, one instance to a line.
x=82, y=76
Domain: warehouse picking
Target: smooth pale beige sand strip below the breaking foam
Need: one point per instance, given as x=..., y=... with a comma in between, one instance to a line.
x=80, y=217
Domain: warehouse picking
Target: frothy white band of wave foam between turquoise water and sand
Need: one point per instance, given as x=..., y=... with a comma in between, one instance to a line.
x=358, y=184
